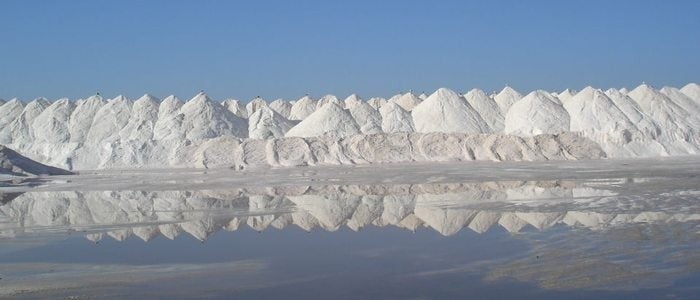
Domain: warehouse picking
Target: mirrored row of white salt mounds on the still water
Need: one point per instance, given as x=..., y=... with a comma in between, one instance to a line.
x=445, y=208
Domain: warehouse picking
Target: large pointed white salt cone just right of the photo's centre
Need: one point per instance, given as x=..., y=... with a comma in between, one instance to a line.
x=445, y=111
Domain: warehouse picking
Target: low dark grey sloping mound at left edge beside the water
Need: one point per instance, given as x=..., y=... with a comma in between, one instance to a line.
x=13, y=163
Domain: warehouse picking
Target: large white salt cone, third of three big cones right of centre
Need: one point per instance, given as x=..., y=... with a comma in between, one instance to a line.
x=591, y=110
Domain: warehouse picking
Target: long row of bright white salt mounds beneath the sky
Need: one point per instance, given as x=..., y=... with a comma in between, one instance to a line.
x=642, y=122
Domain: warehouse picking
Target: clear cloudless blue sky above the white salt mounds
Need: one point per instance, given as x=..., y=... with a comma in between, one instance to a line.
x=287, y=48
